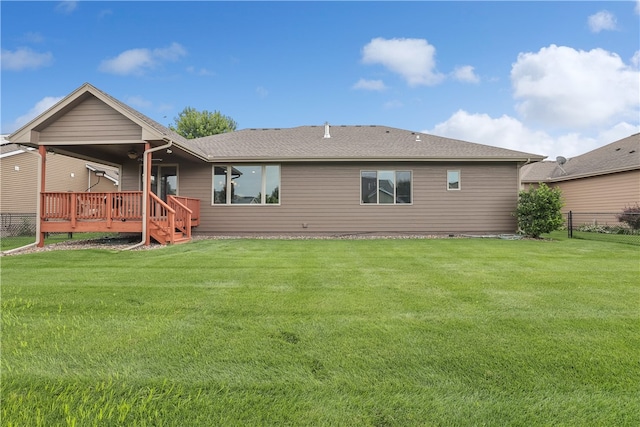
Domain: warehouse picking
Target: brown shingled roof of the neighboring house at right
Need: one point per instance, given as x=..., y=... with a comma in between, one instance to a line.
x=619, y=156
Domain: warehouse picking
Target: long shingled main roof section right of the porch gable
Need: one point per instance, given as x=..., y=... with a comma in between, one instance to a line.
x=345, y=143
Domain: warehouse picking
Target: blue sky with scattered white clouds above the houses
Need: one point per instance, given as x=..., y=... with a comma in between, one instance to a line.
x=551, y=78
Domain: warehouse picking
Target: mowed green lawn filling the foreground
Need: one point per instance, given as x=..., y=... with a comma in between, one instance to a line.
x=324, y=332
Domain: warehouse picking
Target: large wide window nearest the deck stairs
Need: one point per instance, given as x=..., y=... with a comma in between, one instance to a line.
x=246, y=185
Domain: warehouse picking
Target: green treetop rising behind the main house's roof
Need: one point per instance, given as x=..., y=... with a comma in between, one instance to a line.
x=192, y=123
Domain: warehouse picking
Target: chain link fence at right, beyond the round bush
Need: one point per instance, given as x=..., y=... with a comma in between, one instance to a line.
x=621, y=227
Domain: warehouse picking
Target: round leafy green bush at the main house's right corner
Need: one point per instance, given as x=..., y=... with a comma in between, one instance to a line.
x=538, y=210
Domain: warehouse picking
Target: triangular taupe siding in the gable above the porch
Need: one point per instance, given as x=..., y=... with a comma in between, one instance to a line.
x=91, y=120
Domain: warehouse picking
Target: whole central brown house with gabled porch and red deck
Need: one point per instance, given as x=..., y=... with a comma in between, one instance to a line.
x=307, y=179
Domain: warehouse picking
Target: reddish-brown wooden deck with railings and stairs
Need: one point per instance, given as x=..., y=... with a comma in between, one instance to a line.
x=119, y=212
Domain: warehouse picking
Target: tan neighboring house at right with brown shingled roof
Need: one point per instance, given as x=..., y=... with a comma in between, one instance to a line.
x=604, y=180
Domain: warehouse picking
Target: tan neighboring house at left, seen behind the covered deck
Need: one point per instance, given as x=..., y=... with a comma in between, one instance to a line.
x=19, y=177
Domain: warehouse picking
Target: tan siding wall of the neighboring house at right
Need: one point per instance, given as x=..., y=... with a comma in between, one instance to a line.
x=604, y=193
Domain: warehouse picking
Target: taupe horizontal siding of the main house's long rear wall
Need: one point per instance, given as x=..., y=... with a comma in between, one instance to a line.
x=326, y=197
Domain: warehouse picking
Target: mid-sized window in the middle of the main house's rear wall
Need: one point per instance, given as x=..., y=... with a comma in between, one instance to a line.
x=385, y=187
